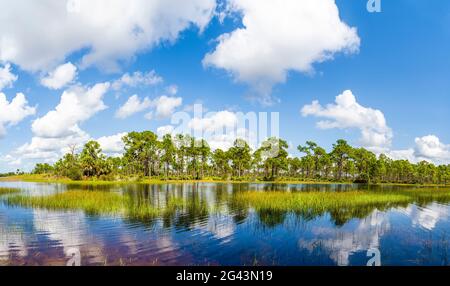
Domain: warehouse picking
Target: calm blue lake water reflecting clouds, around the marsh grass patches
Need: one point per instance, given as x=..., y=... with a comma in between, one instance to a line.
x=228, y=235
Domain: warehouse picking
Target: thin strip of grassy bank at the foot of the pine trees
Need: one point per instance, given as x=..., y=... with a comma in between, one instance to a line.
x=46, y=179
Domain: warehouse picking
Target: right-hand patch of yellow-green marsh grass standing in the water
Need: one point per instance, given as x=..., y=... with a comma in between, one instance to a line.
x=342, y=206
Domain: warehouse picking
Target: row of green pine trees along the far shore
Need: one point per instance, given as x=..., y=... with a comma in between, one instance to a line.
x=183, y=157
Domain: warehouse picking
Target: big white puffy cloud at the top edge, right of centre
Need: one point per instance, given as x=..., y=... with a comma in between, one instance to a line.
x=280, y=36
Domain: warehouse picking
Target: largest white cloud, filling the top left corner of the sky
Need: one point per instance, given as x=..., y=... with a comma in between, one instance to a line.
x=38, y=35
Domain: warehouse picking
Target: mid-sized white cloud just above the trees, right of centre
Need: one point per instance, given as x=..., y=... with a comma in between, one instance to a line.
x=347, y=113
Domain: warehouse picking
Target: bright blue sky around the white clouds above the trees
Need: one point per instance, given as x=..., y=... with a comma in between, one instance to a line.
x=401, y=69
